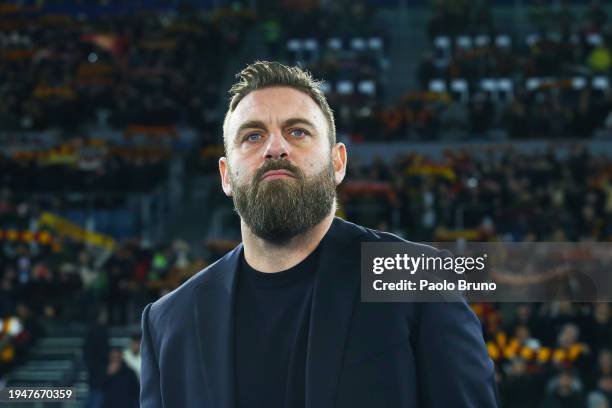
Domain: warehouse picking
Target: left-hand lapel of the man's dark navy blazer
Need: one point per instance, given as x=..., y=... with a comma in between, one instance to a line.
x=214, y=322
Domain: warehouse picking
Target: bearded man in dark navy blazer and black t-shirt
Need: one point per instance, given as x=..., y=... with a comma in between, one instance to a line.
x=277, y=322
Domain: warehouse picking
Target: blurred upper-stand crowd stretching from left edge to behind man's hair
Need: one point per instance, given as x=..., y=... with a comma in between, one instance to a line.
x=164, y=68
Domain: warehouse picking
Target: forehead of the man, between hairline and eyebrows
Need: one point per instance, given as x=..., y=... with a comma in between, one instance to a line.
x=273, y=106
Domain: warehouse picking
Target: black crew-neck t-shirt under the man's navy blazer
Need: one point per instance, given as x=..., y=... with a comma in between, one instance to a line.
x=271, y=335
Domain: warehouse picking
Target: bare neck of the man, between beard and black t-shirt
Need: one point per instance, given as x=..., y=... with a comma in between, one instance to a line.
x=267, y=257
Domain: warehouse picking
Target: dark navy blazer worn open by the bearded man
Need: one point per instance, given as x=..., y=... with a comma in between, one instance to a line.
x=373, y=355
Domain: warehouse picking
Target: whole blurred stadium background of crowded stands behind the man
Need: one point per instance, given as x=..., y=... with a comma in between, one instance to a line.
x=464, y=119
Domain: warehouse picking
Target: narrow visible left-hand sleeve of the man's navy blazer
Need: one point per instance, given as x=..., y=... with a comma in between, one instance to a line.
x=150, y=392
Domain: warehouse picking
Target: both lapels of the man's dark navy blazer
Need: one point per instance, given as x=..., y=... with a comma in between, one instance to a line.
x=335, y=293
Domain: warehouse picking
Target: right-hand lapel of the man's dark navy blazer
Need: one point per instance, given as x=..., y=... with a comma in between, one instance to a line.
x=335, y=294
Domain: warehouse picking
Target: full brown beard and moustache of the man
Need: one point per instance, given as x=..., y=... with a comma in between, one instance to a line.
x=279, y=209
